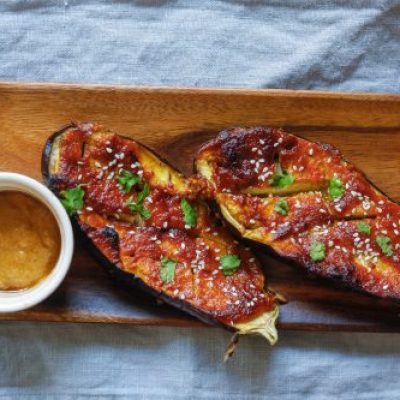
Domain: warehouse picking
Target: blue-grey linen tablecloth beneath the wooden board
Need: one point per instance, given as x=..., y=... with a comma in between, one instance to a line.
x=332, y=45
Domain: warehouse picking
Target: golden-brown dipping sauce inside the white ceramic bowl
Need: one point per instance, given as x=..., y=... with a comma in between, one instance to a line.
x=29, y=241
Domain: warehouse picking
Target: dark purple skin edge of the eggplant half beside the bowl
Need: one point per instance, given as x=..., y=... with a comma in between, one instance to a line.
x=129, y=280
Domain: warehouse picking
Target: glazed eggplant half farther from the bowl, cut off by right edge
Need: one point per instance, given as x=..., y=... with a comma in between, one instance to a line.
x=306, y=203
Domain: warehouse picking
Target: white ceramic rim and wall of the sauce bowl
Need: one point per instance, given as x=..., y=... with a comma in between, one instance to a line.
x=20, y=300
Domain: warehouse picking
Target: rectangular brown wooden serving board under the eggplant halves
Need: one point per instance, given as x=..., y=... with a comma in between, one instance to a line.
x=174, y=122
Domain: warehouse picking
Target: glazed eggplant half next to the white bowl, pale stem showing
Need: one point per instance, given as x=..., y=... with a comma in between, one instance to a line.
x=146, y=224
